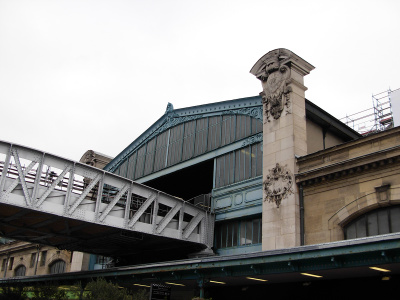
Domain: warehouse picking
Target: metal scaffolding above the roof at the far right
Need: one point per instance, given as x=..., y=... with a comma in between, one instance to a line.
x=375, y=119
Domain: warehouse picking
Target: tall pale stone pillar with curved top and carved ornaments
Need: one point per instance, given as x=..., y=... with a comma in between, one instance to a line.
x=284, y=137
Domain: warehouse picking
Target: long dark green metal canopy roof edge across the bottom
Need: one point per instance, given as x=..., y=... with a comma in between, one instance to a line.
x=349, y=254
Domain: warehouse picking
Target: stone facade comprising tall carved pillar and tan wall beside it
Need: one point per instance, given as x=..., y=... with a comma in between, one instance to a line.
x=334, y=185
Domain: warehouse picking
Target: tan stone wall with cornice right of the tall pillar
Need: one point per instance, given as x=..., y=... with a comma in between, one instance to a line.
x=343, y=182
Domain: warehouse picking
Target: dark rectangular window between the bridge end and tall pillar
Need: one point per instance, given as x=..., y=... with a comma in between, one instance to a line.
x=235, y=233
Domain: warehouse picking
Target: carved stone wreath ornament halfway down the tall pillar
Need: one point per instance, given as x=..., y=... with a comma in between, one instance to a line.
x=278, y=184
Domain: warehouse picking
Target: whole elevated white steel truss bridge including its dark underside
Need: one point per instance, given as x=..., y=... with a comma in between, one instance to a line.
x=46, y=199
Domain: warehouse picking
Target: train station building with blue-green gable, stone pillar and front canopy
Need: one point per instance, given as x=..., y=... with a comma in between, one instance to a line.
x=302, y=204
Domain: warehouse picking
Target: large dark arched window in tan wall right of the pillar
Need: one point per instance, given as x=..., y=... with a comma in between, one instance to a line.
x=376, y=222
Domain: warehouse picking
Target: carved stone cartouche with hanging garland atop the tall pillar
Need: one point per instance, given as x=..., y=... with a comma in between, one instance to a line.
x=274, y=76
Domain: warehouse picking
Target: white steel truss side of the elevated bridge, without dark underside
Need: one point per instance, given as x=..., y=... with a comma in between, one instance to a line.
x=44, y=182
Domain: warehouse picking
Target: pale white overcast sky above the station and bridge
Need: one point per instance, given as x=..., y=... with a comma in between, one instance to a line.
x=92, y=74
